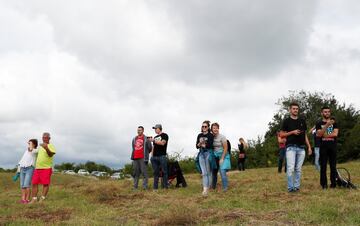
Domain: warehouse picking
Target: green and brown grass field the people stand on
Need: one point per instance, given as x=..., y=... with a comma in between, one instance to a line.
x=255, y=197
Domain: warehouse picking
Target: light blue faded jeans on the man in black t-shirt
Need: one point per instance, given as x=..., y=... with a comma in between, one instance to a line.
x=294, y=160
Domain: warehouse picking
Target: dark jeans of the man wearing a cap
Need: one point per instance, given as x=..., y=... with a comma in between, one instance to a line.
x=158, y=162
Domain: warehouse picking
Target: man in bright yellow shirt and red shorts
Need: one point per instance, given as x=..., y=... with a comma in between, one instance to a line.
x=43, y=168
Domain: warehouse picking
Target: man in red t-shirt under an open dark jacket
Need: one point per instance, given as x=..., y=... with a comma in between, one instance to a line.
x=141, y=146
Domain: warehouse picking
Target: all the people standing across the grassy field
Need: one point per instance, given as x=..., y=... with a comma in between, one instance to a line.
x=213, y=156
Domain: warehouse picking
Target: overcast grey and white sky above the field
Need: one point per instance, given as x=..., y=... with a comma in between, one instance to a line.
x=90, y=72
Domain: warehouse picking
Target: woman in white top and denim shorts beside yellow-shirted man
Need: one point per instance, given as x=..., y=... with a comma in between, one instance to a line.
x=27, y=164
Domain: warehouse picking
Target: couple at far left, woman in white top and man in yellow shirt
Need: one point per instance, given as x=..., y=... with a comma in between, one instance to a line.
x=35, y=168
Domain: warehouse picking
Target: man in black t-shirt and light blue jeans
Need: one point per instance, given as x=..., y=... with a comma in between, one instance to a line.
x=294, y=130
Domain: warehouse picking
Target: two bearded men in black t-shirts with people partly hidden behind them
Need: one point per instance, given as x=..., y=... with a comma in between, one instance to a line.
x=293, y=139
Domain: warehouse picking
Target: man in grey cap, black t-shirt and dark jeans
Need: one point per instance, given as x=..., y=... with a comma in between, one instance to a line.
x=158, y=159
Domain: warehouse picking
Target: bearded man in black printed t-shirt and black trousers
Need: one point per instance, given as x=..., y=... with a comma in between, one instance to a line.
x=327, y=130
